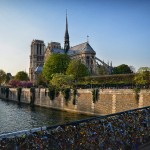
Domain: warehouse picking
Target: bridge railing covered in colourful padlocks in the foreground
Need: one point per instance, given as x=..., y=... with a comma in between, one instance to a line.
x=122, y=131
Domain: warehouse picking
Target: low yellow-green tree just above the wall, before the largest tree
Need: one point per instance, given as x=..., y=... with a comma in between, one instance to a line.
x=62, y=81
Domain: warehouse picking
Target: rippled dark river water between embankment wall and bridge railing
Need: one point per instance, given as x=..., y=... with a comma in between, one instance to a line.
x=14, y=117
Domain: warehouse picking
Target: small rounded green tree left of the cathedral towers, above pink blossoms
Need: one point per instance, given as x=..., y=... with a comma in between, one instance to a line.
x=21, y=76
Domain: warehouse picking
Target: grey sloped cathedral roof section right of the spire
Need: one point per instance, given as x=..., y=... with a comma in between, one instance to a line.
x=82, y=48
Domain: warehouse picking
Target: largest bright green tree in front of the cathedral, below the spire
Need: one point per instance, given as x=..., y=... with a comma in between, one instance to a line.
x=56, y=63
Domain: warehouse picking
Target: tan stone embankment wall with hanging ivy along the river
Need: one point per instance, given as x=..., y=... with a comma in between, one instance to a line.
x=109, y=100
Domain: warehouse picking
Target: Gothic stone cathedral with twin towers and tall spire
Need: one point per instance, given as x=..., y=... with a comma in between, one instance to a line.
x=83, y=52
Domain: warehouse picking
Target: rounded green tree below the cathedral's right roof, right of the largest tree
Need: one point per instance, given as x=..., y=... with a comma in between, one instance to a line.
x=77, y=69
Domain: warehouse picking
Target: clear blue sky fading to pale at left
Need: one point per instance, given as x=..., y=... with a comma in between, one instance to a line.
x=119, y=30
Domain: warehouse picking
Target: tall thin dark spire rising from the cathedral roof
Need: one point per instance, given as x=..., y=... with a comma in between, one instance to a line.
x=66, y=40
